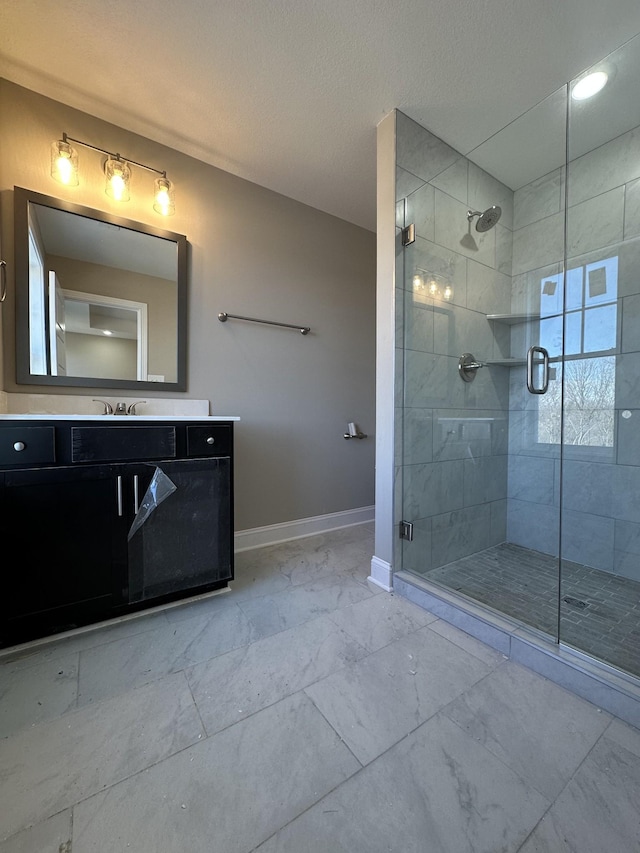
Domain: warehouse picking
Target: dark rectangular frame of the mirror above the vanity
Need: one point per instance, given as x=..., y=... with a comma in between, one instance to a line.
x=22, y=198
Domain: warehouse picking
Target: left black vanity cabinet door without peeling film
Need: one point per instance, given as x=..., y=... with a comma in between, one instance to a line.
x=65, y=534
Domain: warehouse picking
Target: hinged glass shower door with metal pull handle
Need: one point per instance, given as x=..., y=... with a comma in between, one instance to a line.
x=479, y=461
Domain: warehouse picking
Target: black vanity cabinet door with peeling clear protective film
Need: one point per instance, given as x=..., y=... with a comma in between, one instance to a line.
x=181, y=536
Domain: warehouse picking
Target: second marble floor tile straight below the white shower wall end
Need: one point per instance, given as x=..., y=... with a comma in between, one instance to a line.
x=375, y=702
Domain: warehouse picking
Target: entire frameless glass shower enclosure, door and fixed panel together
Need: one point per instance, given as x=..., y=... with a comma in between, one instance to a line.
x=518, y=335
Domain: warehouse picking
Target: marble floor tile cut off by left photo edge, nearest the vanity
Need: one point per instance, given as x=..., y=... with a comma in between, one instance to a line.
x=32, y=695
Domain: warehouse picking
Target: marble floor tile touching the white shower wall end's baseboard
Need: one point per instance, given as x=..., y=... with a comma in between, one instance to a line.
x=377, y=621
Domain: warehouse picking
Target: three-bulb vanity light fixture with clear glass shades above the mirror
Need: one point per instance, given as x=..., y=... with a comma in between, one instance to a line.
x=117, y=169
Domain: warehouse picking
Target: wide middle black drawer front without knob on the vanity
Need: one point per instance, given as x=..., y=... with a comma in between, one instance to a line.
x=117, y=444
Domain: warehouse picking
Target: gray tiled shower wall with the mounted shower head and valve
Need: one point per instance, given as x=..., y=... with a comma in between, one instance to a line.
x=451, y=436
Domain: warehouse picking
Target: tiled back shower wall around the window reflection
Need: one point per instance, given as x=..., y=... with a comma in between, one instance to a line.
x=601, y=486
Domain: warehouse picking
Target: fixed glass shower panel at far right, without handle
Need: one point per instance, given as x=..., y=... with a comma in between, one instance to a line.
x=600, y=569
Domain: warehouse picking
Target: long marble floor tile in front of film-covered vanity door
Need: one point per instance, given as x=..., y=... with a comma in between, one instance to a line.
x=117, y=667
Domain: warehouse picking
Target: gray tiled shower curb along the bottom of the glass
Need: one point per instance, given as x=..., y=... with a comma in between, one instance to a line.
x=586, y=677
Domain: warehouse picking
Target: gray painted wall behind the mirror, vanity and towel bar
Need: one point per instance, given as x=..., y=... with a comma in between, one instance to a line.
x=253, y=252
